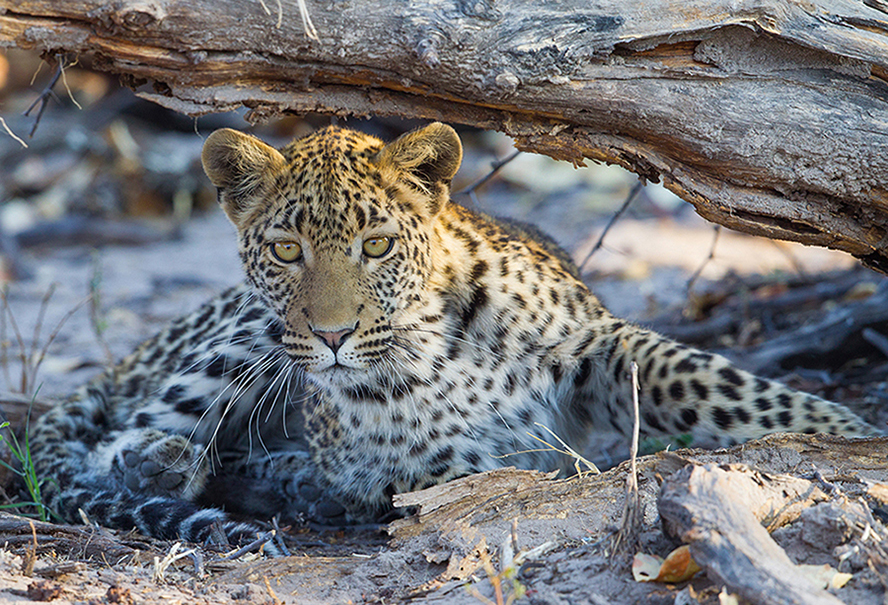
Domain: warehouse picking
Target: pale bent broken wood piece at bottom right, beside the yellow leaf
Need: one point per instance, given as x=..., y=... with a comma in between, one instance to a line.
x=719, y=512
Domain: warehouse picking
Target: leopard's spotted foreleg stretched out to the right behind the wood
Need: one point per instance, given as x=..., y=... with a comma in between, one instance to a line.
x=684, y=391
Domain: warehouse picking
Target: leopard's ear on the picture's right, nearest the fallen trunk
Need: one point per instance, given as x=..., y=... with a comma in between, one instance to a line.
x=425, y=159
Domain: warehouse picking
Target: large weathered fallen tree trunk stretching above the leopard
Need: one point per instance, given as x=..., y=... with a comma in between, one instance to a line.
x=770, y=116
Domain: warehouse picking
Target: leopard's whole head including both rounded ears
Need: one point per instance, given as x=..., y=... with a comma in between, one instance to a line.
x=334, y=234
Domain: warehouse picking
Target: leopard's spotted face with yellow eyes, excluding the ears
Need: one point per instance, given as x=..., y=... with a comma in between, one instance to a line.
x=336, y=258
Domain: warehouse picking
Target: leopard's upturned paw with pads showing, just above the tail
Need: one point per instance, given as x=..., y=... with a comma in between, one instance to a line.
x=159, y=464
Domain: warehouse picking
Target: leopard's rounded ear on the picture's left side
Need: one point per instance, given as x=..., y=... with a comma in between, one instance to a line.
x=241, y=167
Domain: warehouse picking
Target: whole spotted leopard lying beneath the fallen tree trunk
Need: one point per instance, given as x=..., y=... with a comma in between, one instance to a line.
x=385, y=339
